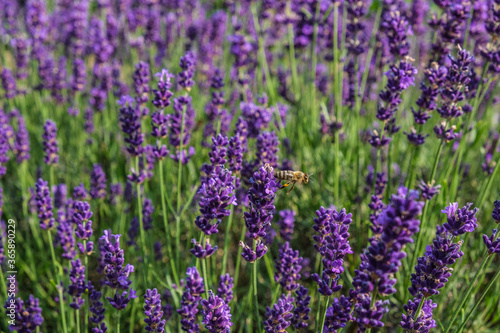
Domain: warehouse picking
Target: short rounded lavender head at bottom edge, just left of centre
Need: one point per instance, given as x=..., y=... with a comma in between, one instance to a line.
x=216, y=314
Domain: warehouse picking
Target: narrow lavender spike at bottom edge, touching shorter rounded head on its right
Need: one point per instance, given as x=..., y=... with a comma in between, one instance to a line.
x=190, y=300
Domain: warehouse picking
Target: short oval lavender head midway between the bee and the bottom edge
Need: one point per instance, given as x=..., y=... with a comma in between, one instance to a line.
x=288, y=266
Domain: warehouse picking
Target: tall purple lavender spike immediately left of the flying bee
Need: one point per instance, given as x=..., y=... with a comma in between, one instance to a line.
x=261, y=196
